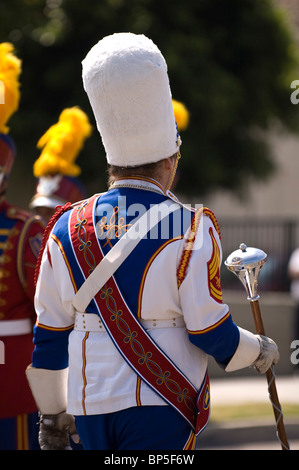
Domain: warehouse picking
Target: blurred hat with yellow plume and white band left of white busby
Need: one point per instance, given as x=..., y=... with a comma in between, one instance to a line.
x=55, y=168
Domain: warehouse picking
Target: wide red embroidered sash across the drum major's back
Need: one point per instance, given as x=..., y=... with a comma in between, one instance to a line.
x=130, y=338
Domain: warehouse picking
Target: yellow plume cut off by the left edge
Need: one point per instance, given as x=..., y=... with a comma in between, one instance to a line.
x=10, y=70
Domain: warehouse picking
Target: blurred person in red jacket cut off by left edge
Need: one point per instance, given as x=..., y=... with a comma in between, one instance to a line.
x=20, y=241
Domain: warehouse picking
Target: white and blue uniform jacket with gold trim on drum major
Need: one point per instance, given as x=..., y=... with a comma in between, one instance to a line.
x=174, y=291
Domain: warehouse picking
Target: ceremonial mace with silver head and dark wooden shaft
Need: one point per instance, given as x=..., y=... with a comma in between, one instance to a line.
x=246, y=264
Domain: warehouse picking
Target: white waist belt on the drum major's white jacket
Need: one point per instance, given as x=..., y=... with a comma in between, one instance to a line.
x=92, y=322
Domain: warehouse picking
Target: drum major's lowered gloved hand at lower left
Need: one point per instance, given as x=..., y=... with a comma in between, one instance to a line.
x=54, y=431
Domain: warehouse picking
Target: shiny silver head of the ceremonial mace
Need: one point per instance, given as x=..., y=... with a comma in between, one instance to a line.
x=246, y=264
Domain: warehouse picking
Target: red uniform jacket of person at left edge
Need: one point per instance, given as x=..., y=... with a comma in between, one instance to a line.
x=20, y=241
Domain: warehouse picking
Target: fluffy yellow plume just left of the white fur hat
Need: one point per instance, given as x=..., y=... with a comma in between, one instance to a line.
x=61, y=144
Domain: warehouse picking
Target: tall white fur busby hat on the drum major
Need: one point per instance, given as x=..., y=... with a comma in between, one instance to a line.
x=125, y=77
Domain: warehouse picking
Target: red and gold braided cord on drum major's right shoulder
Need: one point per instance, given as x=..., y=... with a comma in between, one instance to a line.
x=186, y=255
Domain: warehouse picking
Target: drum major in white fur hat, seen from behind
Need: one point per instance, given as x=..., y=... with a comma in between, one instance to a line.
x=128, y=297
